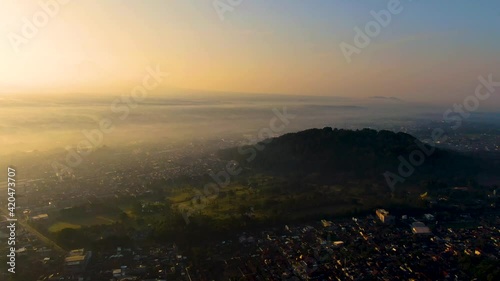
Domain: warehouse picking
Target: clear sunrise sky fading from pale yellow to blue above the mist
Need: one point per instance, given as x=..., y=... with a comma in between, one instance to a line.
x=430, y=51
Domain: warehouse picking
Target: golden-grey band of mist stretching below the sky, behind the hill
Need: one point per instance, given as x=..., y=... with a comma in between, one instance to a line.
x=42, y=123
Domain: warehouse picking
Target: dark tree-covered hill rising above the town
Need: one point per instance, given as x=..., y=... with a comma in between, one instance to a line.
x=346, y=154
